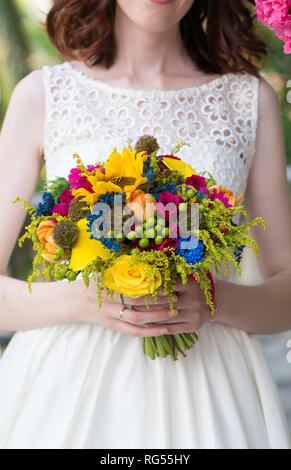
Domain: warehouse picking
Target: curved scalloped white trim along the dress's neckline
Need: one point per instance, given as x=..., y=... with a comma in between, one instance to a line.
x=130, y=91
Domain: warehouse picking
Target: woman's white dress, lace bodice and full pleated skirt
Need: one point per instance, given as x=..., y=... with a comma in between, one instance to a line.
x=87, y=386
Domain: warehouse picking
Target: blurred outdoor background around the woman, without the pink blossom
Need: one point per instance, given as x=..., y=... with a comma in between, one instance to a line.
x=24, y=47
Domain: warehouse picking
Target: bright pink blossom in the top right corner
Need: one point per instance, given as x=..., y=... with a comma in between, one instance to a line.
x=277, y=14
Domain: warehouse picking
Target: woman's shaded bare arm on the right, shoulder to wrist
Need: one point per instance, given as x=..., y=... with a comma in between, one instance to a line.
x=265, y=308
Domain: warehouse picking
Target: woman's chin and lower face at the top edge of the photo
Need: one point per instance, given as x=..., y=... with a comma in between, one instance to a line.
x=154, y=17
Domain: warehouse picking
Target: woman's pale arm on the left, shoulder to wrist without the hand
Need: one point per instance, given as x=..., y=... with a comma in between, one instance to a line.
x=21, y=161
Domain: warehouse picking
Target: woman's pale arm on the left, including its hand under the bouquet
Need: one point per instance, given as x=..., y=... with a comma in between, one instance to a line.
x=21, y=159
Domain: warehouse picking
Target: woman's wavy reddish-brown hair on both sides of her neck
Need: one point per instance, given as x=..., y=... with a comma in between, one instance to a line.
x=219, y=35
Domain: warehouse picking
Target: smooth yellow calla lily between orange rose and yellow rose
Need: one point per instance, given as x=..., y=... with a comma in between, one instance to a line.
x=86, y=249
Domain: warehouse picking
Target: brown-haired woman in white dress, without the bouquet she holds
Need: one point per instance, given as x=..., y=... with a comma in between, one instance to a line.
x=74, y=375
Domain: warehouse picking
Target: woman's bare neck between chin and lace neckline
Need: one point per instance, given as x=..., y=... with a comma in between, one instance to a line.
x=144, y=55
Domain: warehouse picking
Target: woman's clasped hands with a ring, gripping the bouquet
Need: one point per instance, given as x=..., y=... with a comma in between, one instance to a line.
x=191, y=311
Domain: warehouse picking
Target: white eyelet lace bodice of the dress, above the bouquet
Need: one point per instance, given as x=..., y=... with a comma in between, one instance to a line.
x=90, y=117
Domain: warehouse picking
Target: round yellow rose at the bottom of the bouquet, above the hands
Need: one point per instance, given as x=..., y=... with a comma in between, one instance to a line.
x=131, y=280
